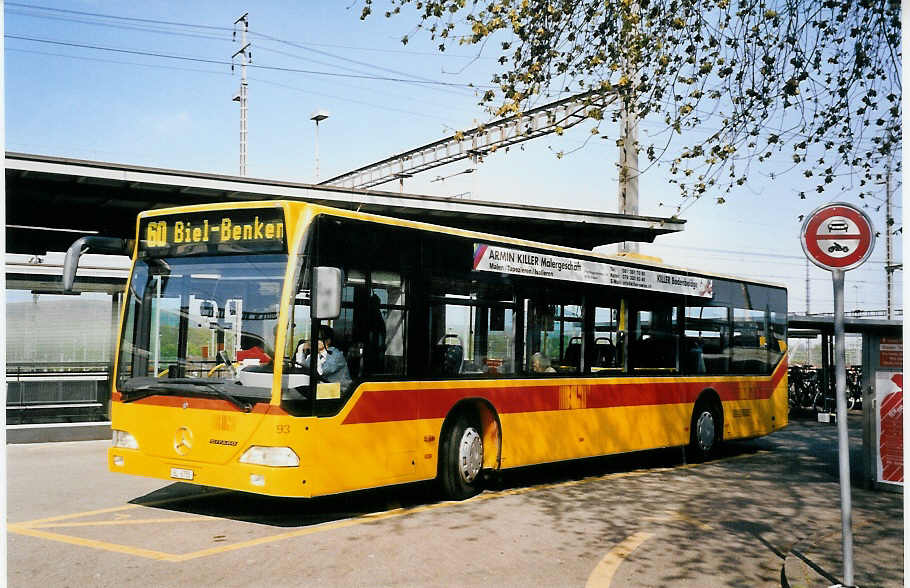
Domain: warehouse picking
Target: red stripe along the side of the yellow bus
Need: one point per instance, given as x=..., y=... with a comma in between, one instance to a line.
x=375, y=406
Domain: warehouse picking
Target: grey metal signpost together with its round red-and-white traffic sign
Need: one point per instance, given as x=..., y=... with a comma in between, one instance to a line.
x=839, y=237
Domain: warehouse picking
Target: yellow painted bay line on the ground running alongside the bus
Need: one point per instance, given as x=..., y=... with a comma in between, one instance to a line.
x=26, y=527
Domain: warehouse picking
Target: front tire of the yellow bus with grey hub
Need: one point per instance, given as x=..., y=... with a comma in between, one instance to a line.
x=461, y=459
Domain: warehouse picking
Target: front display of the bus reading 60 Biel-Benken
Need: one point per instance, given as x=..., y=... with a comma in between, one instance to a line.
x=213, y=232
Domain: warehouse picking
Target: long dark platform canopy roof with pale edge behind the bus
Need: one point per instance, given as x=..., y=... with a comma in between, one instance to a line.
x=51, y=201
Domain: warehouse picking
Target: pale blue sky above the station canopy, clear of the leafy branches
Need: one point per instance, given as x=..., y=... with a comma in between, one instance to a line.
x=99, y=104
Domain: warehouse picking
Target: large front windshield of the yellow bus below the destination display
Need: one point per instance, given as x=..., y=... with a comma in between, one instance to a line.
x=201, y=325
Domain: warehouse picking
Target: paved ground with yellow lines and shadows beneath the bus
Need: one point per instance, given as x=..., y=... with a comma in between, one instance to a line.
x=765, y=513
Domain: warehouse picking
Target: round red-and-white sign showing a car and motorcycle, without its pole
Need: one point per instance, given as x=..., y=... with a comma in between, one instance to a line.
x=837, y=236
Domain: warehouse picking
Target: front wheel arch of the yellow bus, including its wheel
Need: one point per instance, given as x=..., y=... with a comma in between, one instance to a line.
x=469, y=442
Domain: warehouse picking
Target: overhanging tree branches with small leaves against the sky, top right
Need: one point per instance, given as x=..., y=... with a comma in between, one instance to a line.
x=818, y=78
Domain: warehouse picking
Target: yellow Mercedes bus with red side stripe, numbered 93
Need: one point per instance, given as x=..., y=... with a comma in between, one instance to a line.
x=450, y=353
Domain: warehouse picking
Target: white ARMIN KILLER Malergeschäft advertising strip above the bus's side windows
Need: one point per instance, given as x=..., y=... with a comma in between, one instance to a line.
x=514, y=261
